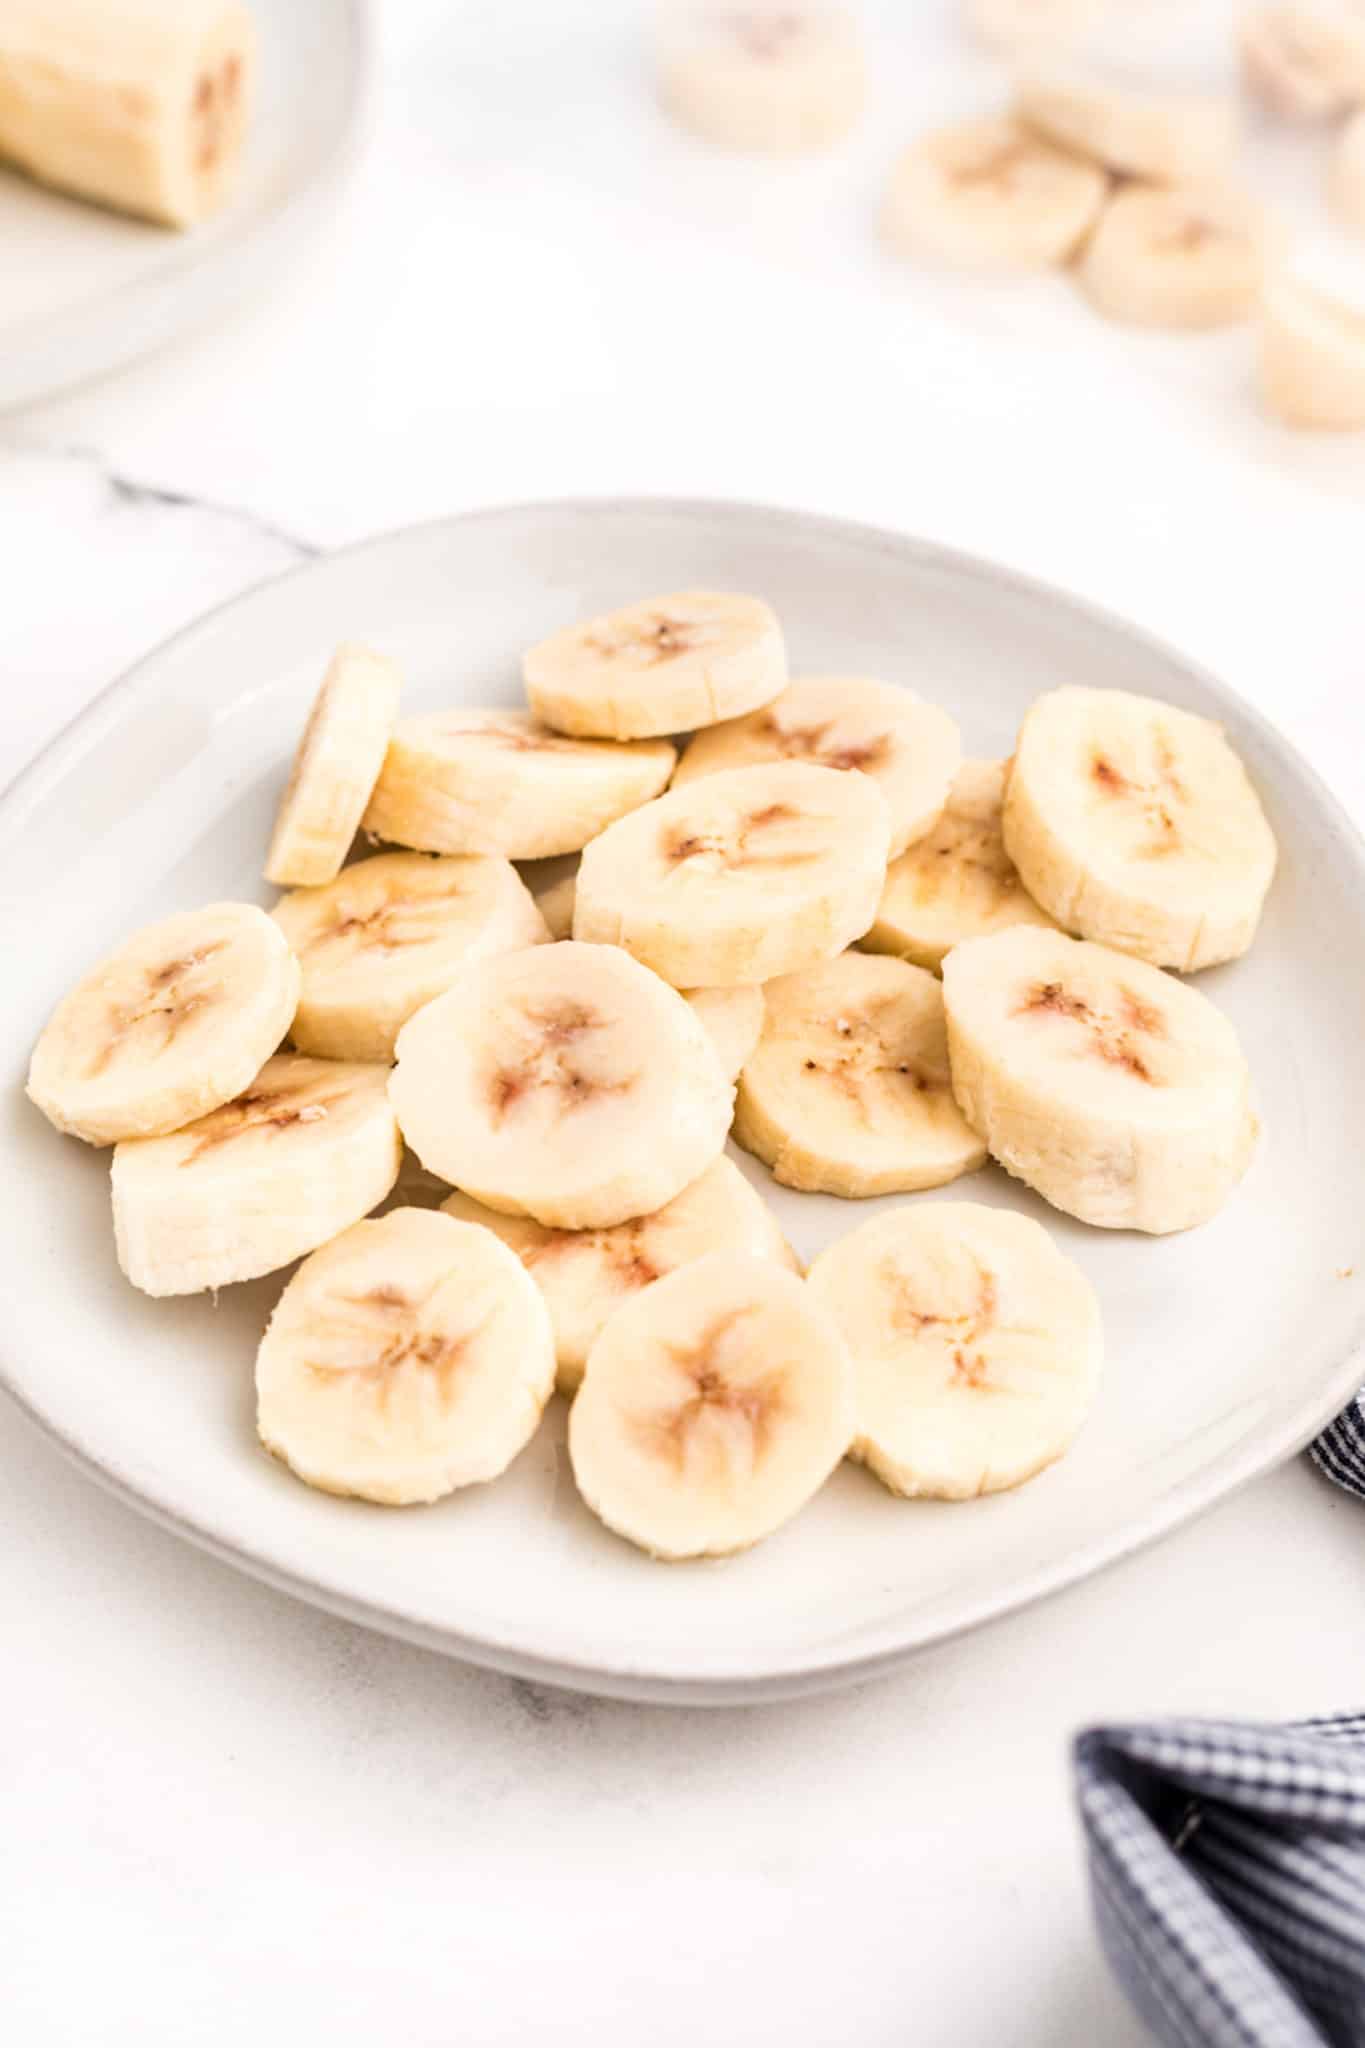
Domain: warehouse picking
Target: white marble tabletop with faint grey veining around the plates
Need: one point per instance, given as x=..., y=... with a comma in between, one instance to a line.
x=230, y=1816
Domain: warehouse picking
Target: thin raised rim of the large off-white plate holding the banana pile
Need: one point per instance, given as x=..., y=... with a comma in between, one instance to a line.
x=721, y=1680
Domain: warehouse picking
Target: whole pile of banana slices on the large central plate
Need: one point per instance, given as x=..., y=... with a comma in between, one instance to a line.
x=820, y=931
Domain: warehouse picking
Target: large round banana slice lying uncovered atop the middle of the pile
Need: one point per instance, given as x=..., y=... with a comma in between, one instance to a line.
x=564, y=1084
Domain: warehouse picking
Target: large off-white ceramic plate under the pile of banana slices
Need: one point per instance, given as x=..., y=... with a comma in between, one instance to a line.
x=1227, y=1347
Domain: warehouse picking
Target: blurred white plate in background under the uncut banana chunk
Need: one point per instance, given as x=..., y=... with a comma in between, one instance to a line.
x=87, y=290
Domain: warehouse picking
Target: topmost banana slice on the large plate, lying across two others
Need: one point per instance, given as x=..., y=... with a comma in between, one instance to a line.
x=660, y=667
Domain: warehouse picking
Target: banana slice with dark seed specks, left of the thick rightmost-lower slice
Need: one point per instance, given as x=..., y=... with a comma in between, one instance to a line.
x=850, y=1091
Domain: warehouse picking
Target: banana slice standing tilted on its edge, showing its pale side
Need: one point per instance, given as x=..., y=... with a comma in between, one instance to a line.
x=335, y=771
